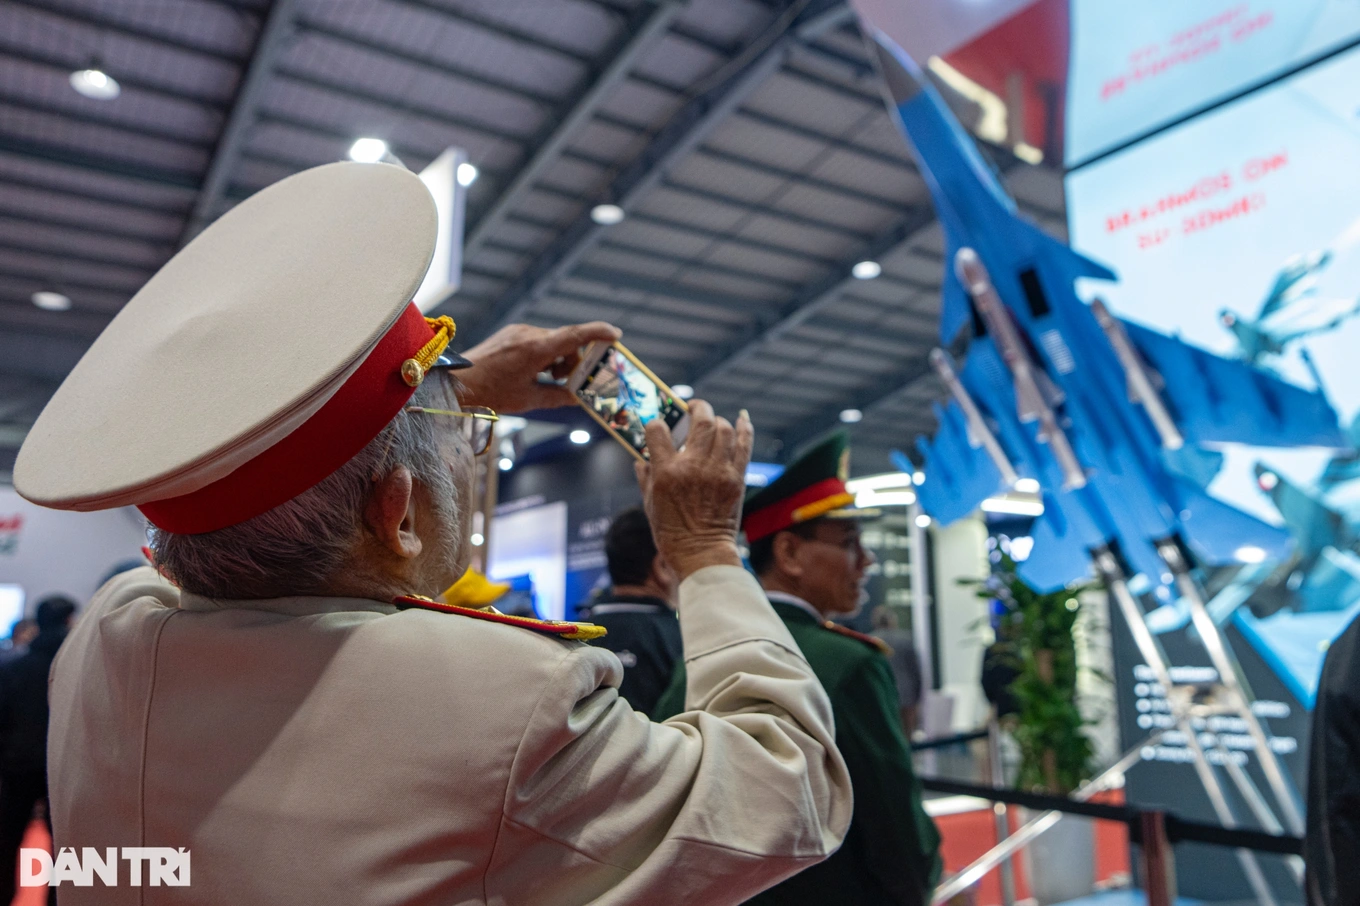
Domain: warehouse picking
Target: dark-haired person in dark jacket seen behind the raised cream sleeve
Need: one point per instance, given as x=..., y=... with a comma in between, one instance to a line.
x=640, y=611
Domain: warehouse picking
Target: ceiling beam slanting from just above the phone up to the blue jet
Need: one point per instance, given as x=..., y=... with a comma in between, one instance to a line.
x=810, y=303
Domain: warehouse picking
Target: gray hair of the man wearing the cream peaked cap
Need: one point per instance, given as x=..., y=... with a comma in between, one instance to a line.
x=297, y=548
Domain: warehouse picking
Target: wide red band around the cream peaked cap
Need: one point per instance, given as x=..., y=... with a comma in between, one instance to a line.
x=360, y=410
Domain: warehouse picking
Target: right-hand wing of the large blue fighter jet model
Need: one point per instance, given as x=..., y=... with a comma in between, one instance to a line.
x=1218, y=401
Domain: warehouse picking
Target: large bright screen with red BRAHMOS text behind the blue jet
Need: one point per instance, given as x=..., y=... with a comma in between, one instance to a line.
x=1246, y=240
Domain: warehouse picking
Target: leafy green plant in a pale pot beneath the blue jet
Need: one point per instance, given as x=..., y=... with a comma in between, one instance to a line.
x=1037, y=639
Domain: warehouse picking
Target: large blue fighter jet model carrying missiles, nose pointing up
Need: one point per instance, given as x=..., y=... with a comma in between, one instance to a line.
x=1116, y=422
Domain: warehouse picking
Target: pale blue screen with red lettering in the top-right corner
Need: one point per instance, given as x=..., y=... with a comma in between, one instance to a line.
x=1139, y=66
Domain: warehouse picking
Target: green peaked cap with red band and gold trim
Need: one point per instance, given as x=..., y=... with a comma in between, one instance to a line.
x=811, y=486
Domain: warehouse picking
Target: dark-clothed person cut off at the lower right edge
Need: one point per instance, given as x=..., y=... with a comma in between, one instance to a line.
x=1332, y=845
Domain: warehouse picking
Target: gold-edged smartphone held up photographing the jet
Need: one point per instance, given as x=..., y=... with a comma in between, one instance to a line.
x=625, y=397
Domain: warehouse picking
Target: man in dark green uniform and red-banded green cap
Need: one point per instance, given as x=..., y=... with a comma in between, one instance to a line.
x=807, y=554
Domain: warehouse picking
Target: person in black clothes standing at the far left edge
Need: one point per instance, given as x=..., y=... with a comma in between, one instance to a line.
x=24, y=735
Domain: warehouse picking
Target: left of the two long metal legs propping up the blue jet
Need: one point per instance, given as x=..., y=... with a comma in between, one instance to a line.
x=1110, y=569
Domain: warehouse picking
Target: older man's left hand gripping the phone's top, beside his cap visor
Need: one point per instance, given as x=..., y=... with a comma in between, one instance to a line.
x=507, y=365
